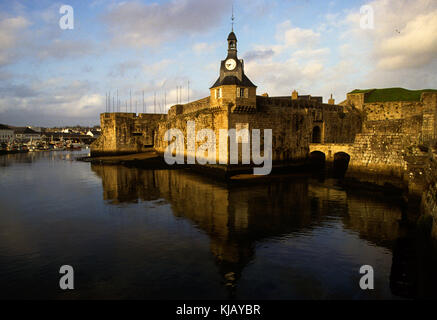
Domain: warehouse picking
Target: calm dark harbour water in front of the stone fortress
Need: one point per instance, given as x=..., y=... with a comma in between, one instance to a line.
x=172, y=234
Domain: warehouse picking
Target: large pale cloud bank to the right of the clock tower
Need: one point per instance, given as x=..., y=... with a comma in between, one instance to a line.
x=355, y=58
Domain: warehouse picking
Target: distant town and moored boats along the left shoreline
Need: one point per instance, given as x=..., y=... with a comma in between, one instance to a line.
x=24, y=139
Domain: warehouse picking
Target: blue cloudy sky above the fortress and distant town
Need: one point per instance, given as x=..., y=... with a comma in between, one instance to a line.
x=51, y=76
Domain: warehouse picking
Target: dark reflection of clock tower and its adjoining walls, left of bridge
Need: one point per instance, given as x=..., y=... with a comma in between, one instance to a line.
x=233, y=218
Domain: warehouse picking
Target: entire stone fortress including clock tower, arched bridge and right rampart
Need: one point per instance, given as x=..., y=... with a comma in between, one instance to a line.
x=381, y=135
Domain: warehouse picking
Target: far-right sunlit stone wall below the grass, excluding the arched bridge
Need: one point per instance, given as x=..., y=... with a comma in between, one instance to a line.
x=391, y=134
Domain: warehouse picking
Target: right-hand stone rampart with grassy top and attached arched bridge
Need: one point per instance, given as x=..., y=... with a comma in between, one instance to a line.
x=398, y=127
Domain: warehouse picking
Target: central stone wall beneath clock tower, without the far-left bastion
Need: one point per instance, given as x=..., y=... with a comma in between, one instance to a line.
x=291, y=121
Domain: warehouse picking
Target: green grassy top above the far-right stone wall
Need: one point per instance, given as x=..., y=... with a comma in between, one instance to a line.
x=391, y=94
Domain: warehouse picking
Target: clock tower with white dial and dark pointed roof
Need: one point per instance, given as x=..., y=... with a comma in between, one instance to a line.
x=233, y=88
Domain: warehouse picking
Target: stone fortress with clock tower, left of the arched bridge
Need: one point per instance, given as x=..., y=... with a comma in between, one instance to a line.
x=233, y=103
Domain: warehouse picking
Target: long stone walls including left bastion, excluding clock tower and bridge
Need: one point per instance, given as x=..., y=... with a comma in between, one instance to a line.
x=292, y=122
